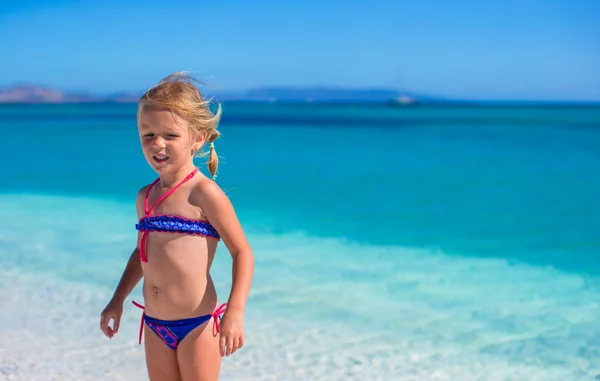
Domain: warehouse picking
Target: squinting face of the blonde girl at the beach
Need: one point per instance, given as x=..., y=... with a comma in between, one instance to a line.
x=166, y=138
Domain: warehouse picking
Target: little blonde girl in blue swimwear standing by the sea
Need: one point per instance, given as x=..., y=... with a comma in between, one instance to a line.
x=182, y=216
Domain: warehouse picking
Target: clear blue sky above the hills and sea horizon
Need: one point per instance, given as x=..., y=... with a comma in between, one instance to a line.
x=476, y=49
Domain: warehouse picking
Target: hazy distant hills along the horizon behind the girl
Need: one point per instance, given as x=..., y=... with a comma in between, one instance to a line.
x=41, y=94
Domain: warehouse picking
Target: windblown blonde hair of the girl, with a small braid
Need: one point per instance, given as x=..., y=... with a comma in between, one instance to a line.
x=178, y=93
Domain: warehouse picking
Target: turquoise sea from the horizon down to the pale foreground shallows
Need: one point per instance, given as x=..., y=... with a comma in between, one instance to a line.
x=420, y=243
